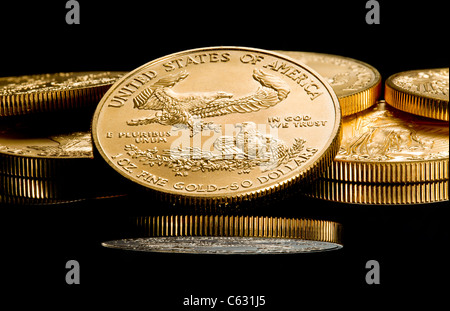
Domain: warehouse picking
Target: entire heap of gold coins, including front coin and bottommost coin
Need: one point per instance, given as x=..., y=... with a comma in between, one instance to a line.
x=223, y=126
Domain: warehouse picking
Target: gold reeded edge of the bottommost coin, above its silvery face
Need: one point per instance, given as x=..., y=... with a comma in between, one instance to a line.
x=240, y=226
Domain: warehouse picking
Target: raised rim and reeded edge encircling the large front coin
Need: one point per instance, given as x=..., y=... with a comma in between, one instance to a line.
x=310, y=173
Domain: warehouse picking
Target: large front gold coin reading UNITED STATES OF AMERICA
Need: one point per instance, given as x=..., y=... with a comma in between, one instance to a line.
x=220, y=124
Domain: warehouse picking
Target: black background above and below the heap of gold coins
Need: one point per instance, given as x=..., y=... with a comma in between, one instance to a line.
x=409, y=242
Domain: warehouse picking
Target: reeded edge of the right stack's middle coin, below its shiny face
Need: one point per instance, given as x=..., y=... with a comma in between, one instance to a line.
x=388, y=172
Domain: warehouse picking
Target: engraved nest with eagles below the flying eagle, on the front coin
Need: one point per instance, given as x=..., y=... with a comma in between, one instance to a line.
x=243, y=152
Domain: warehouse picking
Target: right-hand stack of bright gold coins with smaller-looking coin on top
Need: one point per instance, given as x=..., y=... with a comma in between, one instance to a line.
x=389, y=156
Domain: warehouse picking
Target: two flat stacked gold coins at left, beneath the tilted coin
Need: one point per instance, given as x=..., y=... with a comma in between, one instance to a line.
x=39, y=167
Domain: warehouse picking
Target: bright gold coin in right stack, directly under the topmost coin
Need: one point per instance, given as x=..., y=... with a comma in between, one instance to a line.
x=385, y=145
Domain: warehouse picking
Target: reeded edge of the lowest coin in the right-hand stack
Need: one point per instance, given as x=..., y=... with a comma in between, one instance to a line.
x=379, y=194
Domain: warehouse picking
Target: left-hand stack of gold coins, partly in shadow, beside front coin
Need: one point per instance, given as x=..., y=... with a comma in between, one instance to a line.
x=48, y=158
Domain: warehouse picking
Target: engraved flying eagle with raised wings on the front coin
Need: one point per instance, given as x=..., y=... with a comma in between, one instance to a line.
x=174, y=108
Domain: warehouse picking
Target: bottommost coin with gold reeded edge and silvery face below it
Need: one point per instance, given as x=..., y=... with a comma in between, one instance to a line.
x=232, y=235
